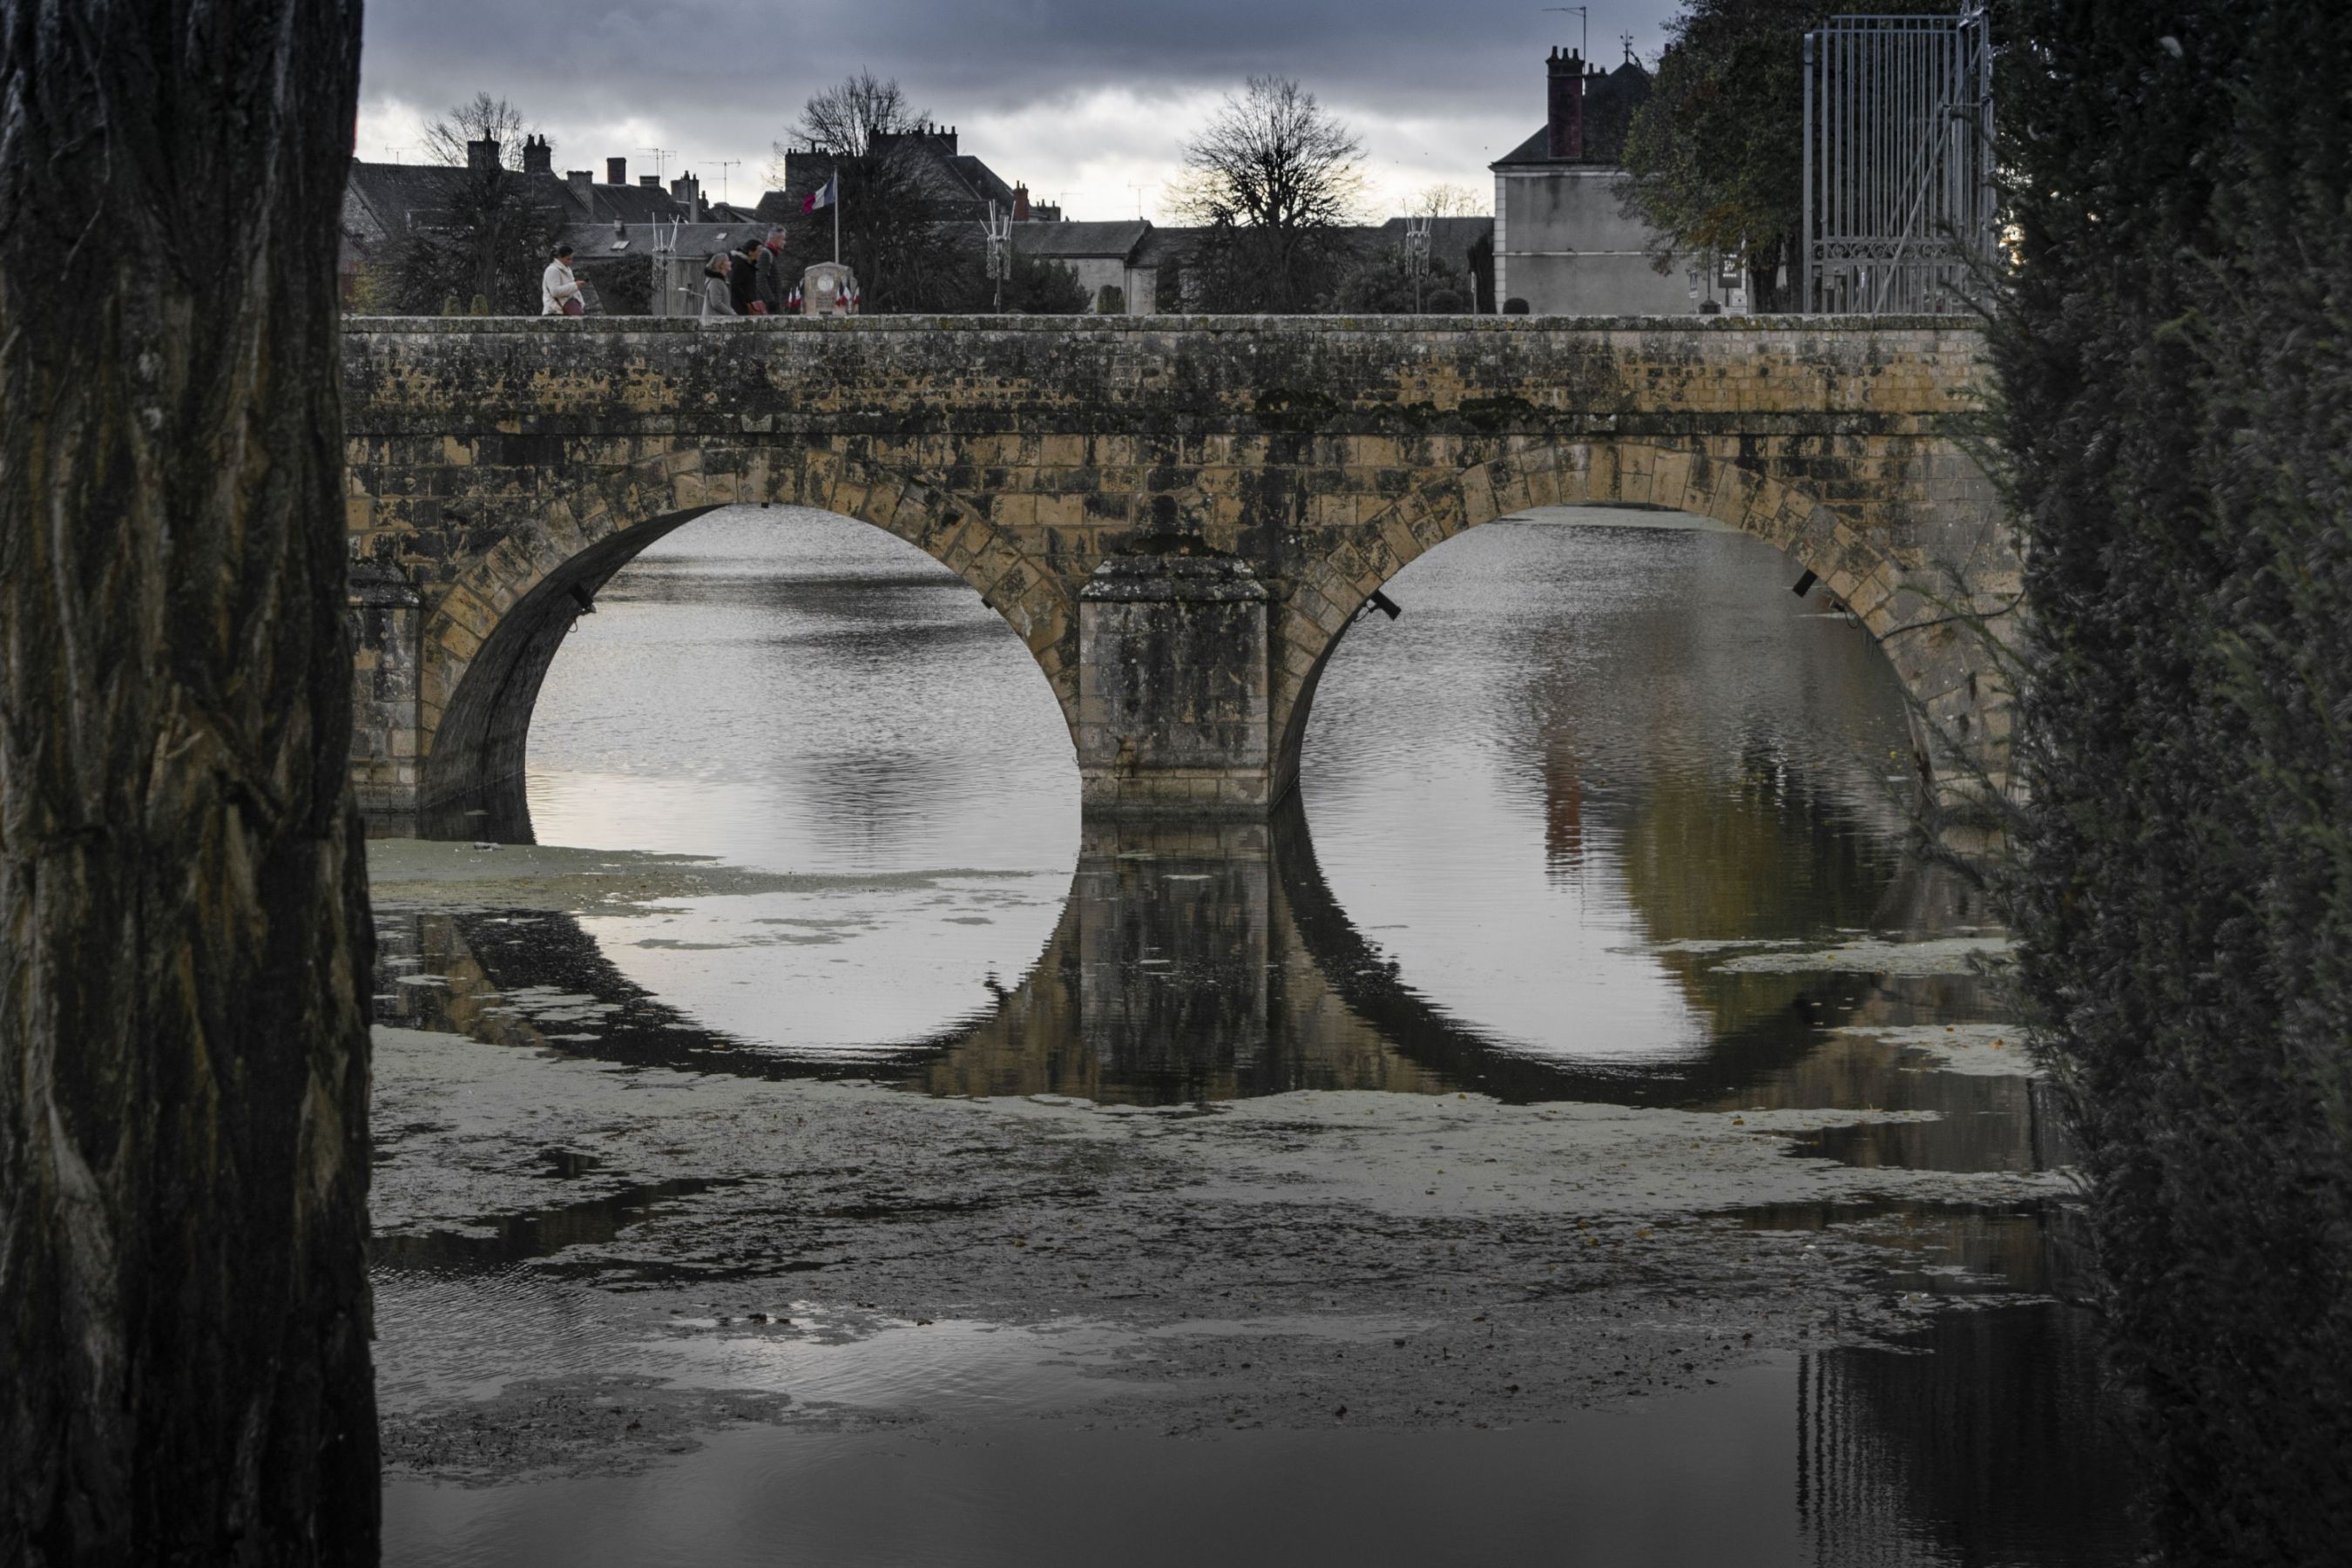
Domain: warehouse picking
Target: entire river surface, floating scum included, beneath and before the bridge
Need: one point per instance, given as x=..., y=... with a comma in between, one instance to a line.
x=1610, y=824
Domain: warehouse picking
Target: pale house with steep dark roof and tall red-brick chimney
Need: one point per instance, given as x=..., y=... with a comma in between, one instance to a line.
x=1563, y=241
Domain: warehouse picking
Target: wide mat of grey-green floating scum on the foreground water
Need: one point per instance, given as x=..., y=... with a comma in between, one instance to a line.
x=549, y=1224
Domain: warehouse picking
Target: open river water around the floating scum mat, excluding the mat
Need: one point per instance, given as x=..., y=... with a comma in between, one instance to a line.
x=1610, y=817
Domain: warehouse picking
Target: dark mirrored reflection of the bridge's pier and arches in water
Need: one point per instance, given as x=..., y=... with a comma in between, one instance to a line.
x=1191, y=963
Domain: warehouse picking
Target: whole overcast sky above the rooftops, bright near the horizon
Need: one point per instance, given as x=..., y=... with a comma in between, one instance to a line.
x=1083, y=100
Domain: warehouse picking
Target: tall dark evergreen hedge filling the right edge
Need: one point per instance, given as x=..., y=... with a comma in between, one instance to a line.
x=2177, y=368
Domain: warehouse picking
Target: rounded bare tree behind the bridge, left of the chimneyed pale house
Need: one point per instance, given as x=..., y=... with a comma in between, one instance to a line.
x=1271, y=177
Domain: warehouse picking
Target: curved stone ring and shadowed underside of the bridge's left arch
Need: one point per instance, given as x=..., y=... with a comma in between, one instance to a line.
x=488, y=643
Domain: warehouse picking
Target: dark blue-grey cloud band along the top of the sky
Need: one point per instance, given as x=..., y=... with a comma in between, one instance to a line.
x=737, y=72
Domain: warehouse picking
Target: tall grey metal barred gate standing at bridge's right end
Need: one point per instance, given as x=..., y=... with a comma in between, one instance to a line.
x=1899, y=180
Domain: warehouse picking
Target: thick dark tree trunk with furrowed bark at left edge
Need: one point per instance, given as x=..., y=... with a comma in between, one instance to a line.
x=185, y=1315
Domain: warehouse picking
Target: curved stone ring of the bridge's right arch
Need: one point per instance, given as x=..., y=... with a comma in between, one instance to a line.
x=1902, y=598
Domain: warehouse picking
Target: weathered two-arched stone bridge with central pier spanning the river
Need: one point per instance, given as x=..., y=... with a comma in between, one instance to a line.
x=1180, y=516
